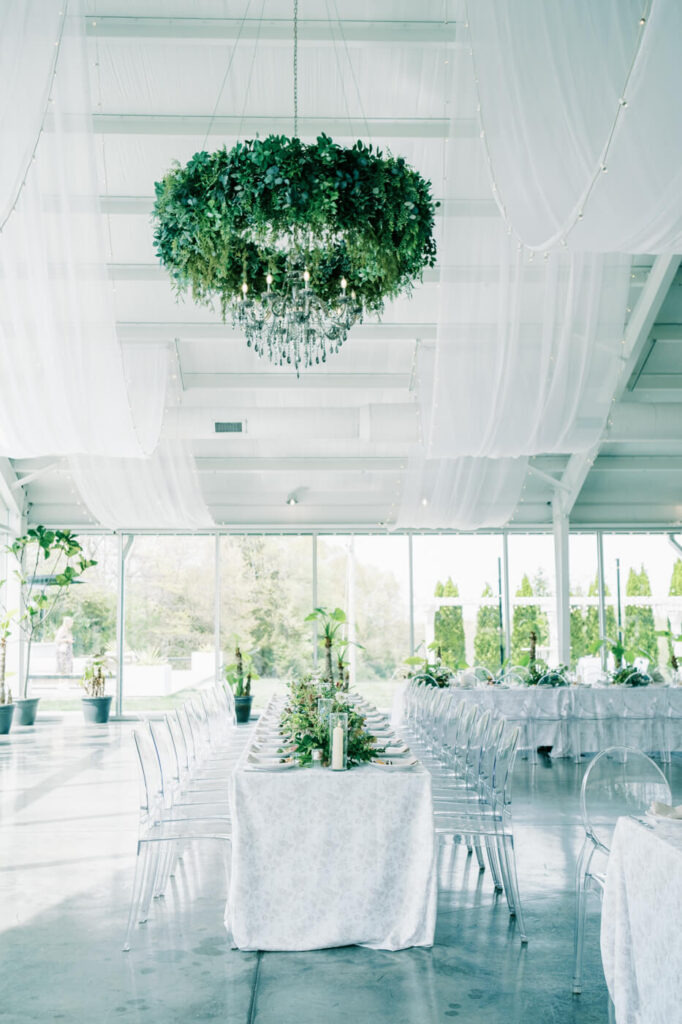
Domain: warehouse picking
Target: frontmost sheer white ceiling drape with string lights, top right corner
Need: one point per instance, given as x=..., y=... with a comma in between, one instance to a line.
x=580, y=106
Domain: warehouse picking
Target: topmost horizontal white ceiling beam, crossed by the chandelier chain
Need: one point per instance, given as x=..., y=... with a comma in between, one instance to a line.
x=218, y=30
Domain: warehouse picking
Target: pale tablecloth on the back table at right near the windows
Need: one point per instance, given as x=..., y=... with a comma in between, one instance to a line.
x=582, y=719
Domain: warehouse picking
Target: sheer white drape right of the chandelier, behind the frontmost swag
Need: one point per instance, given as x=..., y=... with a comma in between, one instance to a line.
x=528, y=354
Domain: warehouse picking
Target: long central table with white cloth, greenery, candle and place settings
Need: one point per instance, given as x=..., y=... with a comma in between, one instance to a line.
x=333, y=838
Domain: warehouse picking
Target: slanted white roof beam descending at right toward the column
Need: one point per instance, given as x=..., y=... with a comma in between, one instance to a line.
x=635, y=337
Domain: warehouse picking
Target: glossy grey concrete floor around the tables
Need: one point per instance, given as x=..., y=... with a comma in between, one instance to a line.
x=68, y=826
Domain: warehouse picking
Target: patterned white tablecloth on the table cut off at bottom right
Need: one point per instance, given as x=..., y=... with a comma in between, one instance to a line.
x=642, y=923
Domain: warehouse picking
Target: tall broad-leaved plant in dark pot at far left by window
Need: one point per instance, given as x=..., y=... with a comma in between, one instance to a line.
x=42, y=593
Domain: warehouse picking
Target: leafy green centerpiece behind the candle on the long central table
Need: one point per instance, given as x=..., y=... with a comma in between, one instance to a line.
x=309, y=731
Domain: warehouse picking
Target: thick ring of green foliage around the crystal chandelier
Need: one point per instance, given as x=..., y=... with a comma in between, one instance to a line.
x=353, y=214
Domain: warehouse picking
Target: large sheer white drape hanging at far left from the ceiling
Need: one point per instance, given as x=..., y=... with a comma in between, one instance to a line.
x=63, y=379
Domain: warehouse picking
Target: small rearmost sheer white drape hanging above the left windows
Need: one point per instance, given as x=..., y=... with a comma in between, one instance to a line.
x=159, y=493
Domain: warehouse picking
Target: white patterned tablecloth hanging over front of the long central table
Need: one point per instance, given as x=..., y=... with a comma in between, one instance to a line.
x=322, y=860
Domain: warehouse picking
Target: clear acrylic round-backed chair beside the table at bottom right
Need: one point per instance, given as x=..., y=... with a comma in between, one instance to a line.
x=621, y=781
